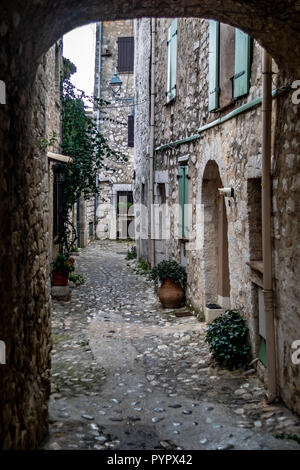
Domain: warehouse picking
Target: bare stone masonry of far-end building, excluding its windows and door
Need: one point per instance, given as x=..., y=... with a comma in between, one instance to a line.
x=113, y=123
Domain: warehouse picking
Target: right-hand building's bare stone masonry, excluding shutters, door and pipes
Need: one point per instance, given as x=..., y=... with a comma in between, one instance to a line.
x=229, y=155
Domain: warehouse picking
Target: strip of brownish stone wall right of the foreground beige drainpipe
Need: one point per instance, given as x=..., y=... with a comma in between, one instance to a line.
x=286, y=209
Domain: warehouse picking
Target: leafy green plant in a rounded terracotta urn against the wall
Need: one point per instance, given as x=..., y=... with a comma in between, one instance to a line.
x=173, y=279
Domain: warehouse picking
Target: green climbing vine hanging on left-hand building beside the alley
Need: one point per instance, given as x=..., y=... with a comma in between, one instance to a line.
x=87, y=147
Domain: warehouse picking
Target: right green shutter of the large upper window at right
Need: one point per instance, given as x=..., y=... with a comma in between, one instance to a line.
x=242, y=63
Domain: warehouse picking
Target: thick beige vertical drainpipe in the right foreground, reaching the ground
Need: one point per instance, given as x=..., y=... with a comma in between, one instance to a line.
x=266, y=225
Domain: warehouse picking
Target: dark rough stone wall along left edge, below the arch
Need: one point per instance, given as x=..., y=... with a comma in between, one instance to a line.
x=24, y=272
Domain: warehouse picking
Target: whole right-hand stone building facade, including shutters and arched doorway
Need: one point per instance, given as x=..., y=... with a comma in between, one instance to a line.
x=199, y=150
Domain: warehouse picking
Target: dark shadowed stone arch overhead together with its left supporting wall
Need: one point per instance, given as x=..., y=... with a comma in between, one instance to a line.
x=27, y=29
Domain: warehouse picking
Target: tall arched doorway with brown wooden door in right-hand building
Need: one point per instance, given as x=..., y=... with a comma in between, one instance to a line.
x=215, y=248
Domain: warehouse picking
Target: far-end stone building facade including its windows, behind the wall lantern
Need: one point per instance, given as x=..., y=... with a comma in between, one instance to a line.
x=115, y=117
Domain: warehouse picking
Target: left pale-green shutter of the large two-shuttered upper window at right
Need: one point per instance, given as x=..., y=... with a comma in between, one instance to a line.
x=214, y=47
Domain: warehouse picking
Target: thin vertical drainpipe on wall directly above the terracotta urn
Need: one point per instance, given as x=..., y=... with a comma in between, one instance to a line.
x=152, y=129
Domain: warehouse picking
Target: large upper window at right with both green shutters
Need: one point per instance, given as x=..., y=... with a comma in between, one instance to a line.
x=229, y=64
